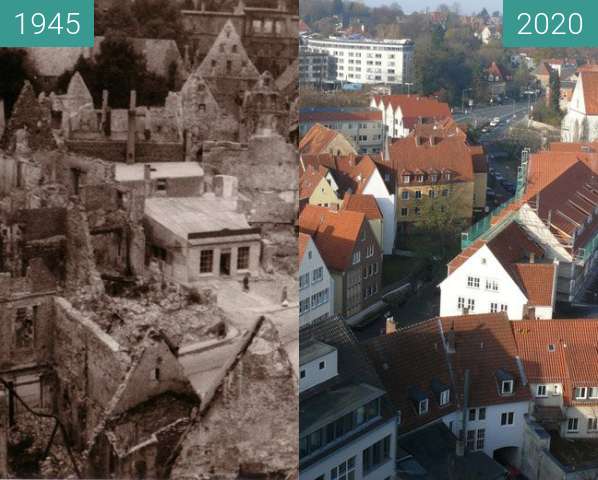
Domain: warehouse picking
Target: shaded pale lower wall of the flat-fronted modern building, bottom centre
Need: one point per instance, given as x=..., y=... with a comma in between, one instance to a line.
x=356, y=449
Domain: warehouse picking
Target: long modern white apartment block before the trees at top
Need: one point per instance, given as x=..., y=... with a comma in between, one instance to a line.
x=368, y=61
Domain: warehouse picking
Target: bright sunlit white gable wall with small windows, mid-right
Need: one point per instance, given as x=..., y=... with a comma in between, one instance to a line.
x=484, y=265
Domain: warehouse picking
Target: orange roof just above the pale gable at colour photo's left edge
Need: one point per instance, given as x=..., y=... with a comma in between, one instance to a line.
x=335, y=233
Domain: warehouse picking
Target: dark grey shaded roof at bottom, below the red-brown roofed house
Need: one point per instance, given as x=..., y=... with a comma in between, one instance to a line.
x=433, y=458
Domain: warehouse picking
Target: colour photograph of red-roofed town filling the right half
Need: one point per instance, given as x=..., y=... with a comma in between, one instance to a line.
x=448, y=228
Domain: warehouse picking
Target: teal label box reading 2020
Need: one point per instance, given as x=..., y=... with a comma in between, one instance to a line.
x=550, y=23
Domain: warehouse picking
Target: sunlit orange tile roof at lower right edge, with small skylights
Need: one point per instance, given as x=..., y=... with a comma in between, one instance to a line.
x=573, y=360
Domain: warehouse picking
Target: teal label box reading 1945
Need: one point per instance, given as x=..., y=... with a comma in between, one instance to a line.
x=46, y=23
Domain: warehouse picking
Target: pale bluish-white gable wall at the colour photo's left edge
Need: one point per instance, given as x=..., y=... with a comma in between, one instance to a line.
x=308, y=266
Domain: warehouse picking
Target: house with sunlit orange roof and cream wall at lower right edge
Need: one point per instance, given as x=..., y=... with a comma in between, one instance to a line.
x=560, y=361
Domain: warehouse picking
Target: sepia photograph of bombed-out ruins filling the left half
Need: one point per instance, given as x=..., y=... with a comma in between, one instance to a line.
x=148, y=252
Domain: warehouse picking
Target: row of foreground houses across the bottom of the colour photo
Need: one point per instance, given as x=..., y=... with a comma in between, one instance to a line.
x=452, y=395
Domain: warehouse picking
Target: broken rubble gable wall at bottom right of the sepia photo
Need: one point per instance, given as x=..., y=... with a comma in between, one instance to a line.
x=259, y=397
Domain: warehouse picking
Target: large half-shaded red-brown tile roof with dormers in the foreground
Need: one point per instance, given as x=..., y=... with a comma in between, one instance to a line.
x=415, y=356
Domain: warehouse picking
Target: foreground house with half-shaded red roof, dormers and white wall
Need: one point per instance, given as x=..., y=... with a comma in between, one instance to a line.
x=461, y=371
